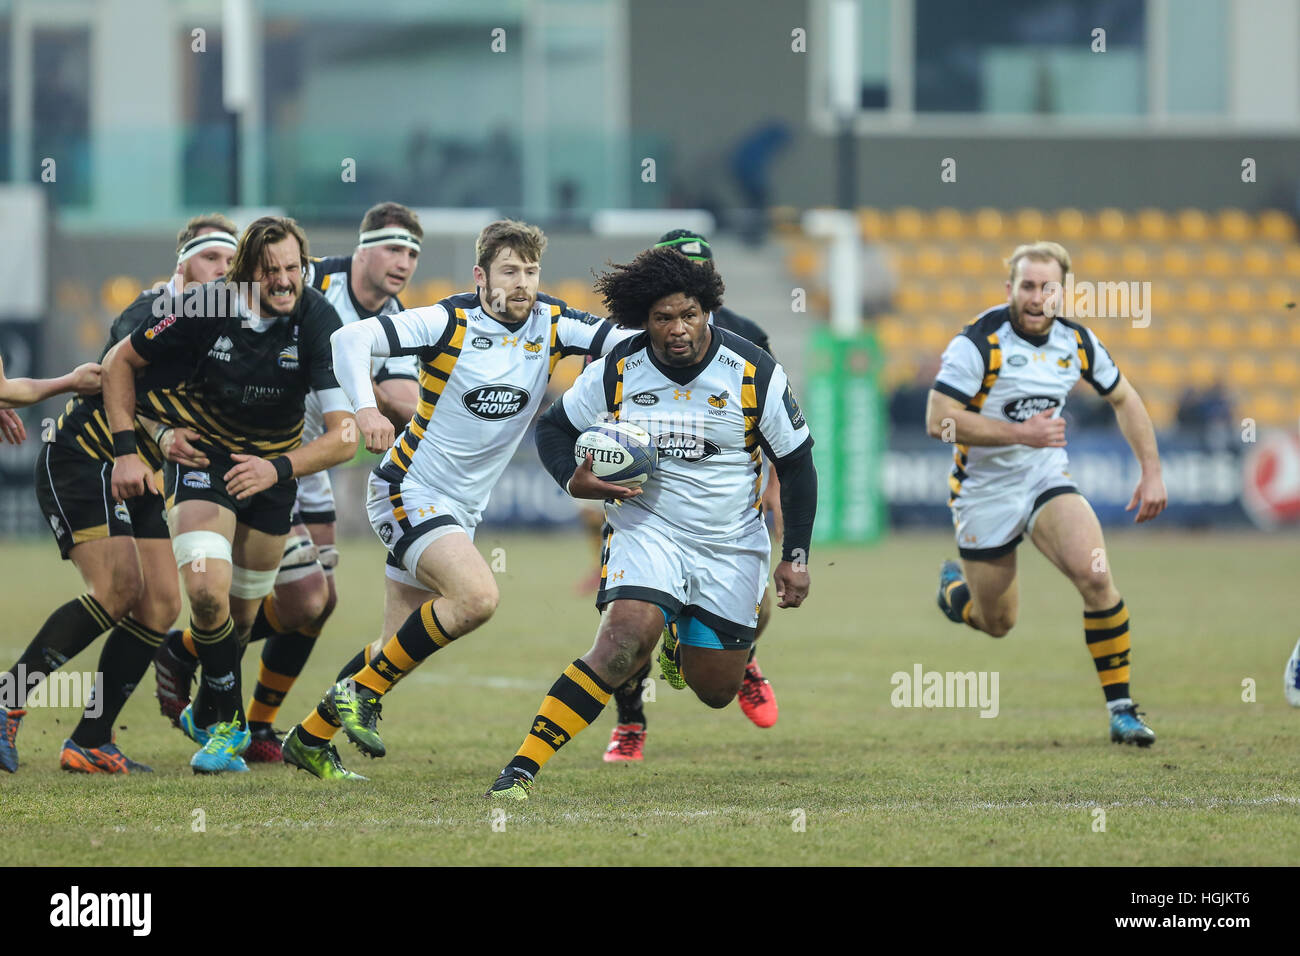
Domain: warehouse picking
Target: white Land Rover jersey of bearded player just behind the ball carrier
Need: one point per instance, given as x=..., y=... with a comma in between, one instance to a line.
x=482, y=383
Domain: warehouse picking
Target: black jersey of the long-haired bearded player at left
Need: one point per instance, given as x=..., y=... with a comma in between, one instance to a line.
x=245, y=388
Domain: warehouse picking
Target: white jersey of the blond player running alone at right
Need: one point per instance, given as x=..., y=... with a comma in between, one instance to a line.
x=1013, y=377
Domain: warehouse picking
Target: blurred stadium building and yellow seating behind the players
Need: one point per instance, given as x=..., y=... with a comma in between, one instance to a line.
x=1158, y=140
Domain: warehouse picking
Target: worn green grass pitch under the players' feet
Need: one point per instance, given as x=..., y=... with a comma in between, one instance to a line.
x=843, y=778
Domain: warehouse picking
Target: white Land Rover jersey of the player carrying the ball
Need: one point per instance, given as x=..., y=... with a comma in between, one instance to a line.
x=709, y=431
